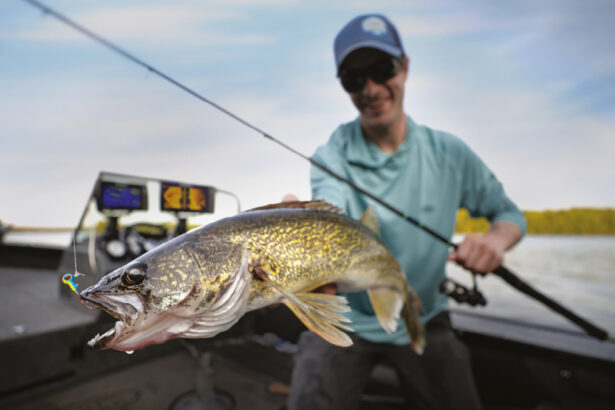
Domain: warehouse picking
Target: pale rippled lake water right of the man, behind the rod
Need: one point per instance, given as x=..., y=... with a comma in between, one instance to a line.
x=577, y=271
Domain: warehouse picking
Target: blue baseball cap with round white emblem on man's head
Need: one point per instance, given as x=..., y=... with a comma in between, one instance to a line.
x=367, y=31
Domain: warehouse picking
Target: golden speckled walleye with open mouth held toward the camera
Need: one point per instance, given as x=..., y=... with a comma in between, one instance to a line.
x=202, y=282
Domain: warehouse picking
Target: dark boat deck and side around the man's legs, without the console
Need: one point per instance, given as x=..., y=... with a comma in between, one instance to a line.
x=46, y=363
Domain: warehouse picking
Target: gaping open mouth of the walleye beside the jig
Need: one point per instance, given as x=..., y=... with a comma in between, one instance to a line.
x=125, y=308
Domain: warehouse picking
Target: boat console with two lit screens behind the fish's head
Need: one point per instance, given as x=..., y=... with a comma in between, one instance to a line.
x=127, y=216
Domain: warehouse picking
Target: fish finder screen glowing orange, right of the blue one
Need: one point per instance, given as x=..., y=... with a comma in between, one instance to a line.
x=186, y=198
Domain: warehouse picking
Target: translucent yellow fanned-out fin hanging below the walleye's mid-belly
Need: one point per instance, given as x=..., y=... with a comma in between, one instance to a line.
x=319, y=312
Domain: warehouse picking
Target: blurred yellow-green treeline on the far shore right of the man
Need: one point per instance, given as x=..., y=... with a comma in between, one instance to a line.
x=585, y=221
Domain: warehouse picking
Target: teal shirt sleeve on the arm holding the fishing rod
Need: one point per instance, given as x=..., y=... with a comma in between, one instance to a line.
x=483, y=194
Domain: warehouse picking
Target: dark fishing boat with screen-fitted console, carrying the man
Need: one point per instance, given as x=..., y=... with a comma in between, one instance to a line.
x=46, y=364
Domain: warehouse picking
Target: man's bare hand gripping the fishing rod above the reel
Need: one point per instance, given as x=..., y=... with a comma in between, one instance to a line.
x=482, y=253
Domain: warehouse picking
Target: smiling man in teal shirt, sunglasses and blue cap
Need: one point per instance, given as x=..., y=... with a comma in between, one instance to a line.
x=428, y=174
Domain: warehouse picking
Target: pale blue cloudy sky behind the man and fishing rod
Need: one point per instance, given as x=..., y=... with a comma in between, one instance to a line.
x=529, y=85
